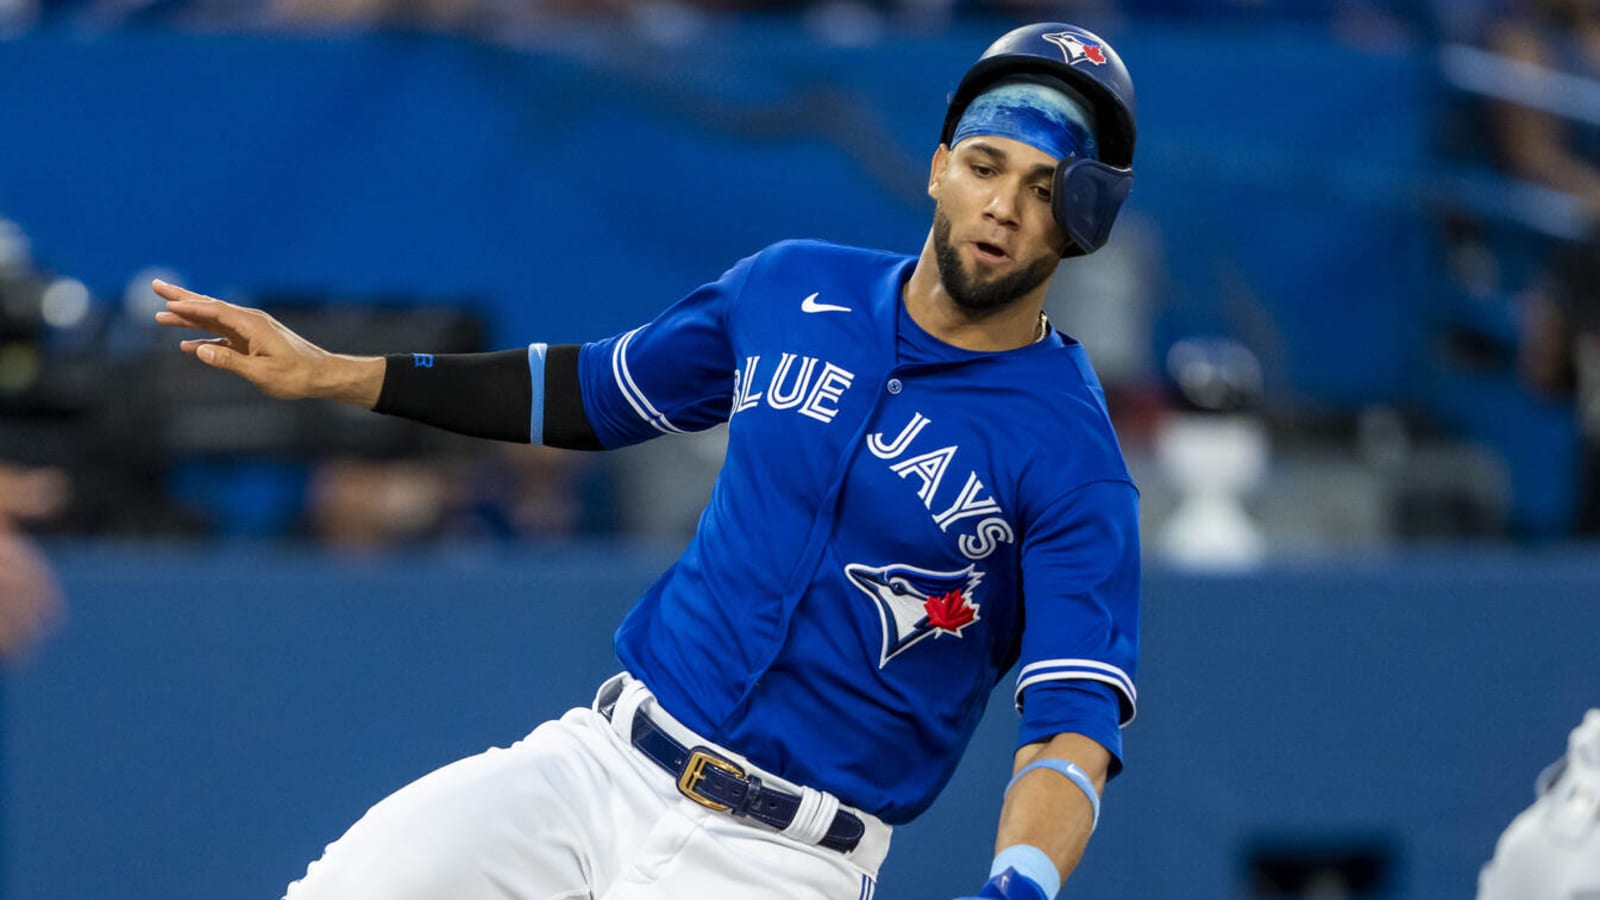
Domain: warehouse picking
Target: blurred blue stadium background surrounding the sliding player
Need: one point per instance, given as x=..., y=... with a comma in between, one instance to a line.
x=1350, y=327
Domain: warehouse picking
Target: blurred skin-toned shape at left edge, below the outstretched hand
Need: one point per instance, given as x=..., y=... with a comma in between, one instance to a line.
x=30, y=598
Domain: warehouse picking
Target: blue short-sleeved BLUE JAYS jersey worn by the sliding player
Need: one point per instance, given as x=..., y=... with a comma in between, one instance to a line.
x=898, y=523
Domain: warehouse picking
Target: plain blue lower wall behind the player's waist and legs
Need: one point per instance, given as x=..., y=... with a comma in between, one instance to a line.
x=210, y=720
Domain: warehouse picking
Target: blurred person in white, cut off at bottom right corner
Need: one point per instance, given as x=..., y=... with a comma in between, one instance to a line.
x=1553, y=850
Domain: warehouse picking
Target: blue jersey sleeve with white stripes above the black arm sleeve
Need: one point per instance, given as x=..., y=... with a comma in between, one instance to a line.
x=668, y=377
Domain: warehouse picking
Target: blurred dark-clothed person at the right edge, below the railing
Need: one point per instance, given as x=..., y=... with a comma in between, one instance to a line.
x=1561, y=356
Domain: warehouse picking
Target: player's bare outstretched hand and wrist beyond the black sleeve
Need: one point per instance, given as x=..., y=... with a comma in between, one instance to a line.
x=258, y=348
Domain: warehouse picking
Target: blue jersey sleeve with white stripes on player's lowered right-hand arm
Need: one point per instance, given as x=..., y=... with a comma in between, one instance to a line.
x=1081, y=593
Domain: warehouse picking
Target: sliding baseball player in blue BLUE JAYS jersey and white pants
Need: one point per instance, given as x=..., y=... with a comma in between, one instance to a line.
x=922, y=492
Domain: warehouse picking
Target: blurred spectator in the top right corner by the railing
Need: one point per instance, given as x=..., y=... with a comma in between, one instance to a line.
x=1562, y=38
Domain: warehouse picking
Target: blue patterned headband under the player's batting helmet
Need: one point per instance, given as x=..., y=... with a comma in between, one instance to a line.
x=1041, y=118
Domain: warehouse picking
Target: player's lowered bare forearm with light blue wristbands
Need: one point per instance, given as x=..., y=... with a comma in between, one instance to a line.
x=1050, y=811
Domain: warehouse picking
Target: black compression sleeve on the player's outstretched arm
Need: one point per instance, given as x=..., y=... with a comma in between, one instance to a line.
x=489, y=395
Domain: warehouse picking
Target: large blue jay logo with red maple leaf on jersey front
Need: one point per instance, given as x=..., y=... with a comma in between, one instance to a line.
x=916, y=603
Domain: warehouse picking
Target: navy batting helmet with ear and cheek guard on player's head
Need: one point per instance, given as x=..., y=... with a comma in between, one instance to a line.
x=1087, y=195
